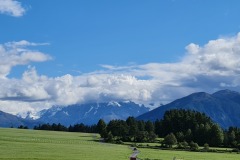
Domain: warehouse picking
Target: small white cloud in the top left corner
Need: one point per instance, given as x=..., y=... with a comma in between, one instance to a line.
x=11, y=7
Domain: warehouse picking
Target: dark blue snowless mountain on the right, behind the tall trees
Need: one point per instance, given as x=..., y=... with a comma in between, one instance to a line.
x=223, y=107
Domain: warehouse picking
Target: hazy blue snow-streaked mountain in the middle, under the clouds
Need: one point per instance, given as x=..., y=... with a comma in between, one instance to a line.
x=90, y=113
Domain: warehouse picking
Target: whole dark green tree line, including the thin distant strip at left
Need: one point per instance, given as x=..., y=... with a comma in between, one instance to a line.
x=178, y=126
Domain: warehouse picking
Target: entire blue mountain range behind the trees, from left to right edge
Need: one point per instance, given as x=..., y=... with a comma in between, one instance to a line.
x=223, y=107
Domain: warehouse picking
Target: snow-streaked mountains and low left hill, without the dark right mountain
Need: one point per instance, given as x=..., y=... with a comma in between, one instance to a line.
x=87, y=114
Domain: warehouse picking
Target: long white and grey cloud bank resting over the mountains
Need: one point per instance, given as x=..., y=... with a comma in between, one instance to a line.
x=211, y=67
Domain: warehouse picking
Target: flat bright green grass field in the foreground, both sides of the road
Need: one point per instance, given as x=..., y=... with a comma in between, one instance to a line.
x=32, y=144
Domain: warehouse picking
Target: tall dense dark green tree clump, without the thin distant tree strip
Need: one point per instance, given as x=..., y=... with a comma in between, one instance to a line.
x=184, y=125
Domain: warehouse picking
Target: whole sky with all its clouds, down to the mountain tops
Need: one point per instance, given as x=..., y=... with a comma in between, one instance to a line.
x=150, y=52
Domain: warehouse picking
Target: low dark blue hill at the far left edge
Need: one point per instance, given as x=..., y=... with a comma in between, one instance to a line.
x=9, y=120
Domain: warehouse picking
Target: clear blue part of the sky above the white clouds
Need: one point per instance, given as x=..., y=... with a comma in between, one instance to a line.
x=84, y=34
